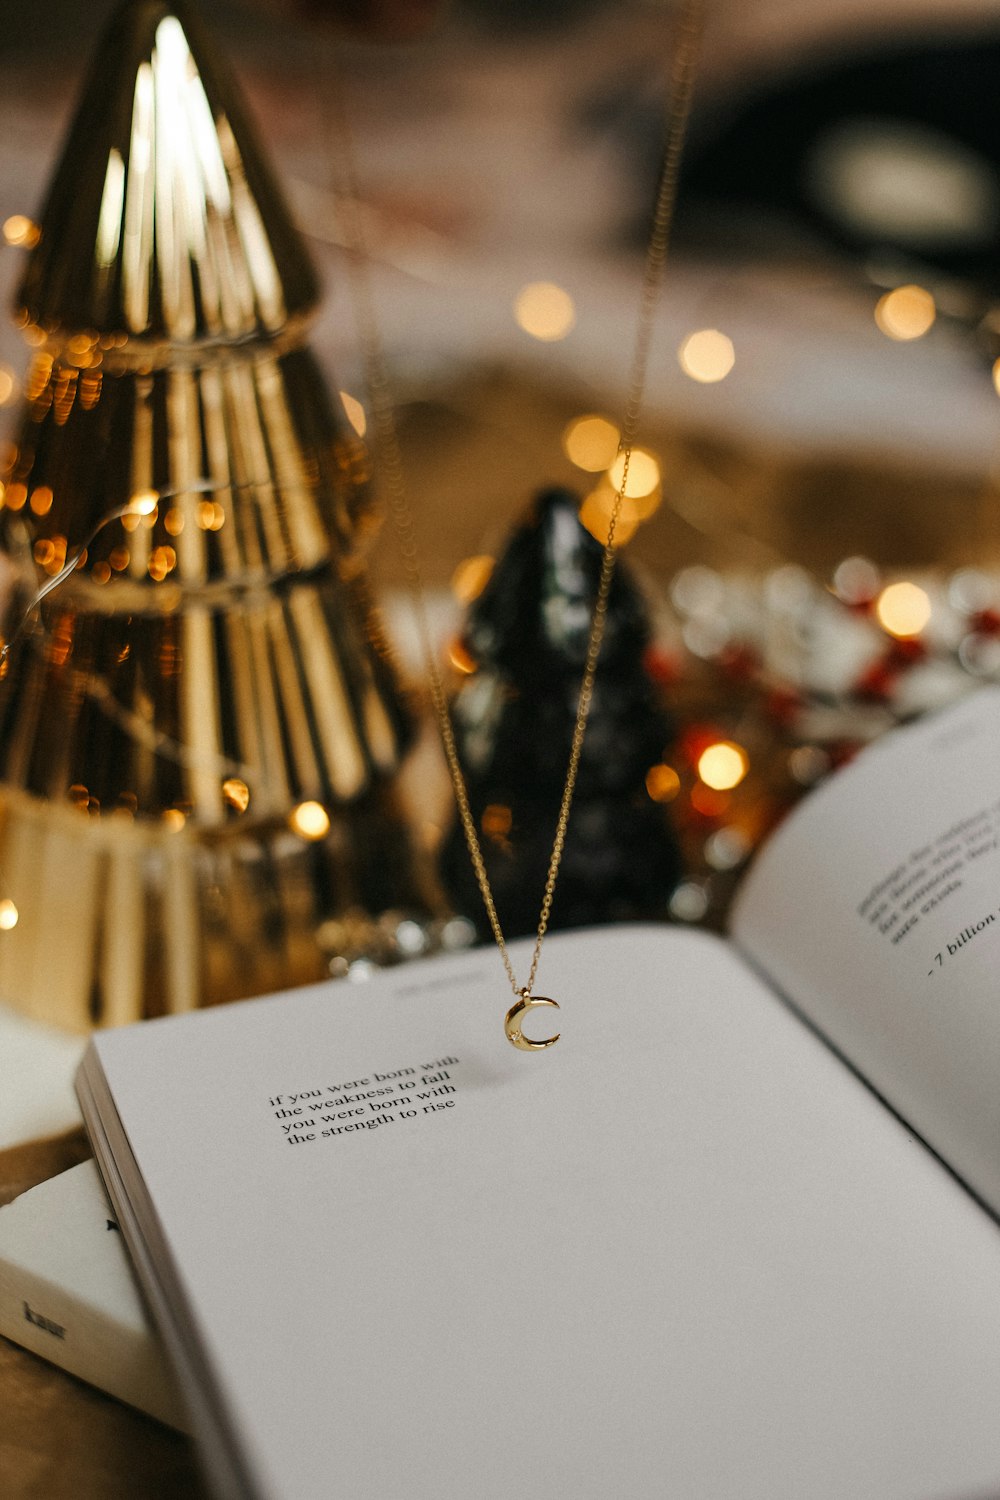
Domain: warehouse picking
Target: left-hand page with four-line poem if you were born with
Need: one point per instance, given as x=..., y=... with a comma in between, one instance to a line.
x=684, y=1253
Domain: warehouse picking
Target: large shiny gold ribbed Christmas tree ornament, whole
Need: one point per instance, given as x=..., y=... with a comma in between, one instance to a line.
x=199, y=727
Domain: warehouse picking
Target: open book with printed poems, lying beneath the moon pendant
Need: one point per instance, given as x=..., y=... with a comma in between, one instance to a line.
x=735, y=1237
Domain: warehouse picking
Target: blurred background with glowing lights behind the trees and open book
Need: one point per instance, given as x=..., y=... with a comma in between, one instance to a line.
x=816, y=499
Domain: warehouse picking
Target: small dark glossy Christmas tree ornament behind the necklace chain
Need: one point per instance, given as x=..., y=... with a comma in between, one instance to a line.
x=513, y=718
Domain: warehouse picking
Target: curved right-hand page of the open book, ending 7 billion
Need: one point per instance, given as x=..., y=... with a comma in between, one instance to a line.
x=876, y=908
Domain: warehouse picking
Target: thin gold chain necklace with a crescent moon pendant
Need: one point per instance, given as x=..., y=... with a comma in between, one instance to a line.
x=394, y=485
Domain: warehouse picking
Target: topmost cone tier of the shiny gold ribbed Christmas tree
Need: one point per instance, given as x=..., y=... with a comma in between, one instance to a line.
x=164, y=223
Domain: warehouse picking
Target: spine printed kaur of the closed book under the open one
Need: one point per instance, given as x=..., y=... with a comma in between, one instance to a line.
x=88, y=1343
